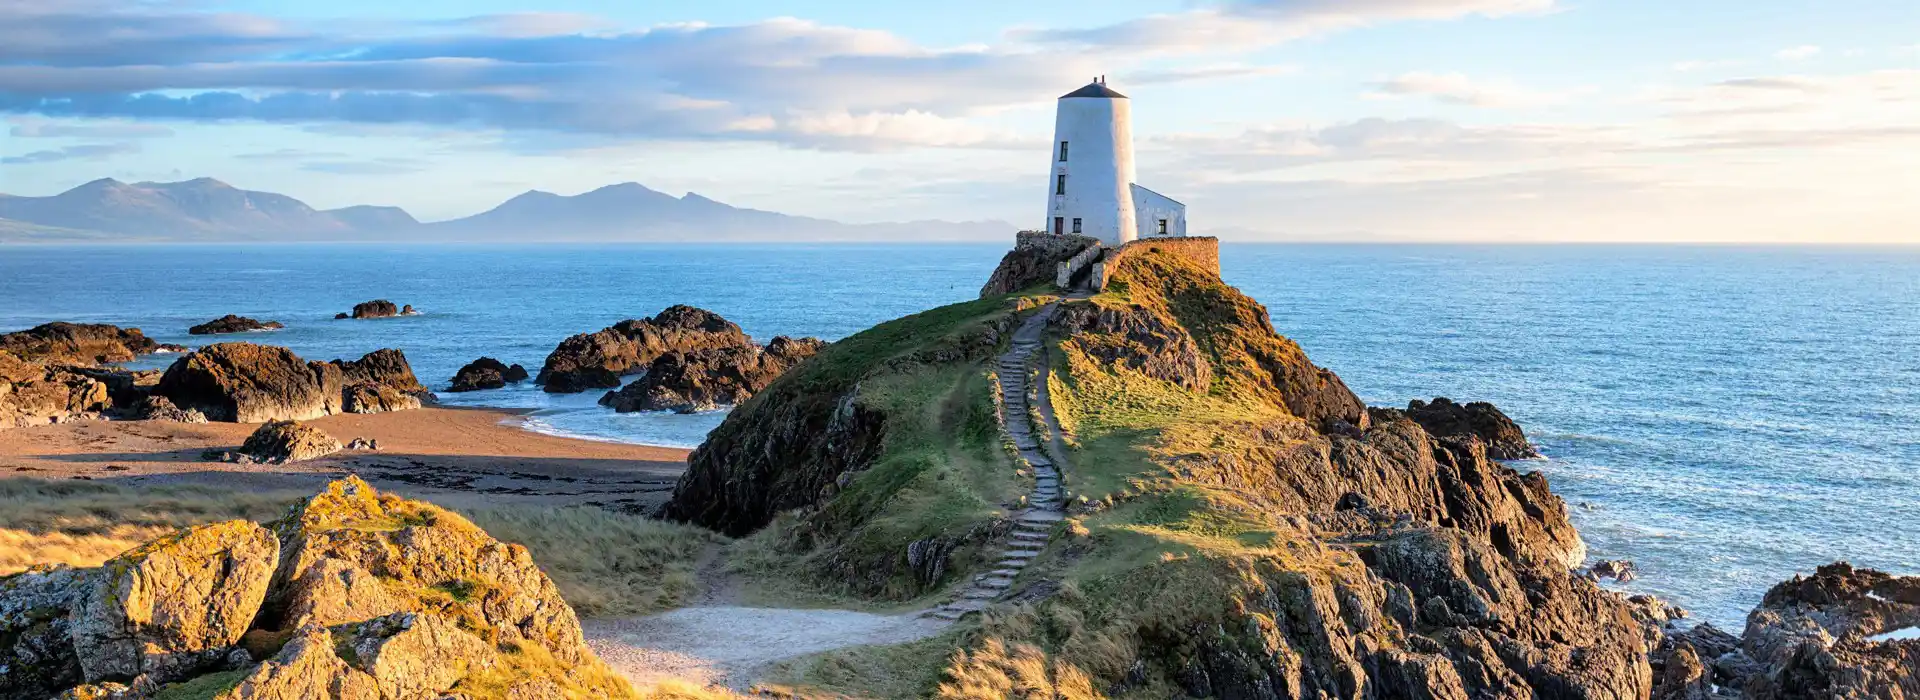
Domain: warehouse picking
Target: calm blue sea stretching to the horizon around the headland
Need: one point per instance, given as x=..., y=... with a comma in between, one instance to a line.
x=1723, y=417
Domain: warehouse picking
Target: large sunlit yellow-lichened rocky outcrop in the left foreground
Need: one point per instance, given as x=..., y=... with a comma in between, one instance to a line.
x=377, y=597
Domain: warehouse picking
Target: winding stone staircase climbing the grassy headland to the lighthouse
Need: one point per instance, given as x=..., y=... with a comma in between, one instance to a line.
x=1036, y=525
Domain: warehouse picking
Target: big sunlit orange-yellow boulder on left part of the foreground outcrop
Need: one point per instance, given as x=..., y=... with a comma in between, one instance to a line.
x=176, y=605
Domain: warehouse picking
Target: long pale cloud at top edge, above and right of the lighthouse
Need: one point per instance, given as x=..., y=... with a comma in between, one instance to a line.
x=1272, y=22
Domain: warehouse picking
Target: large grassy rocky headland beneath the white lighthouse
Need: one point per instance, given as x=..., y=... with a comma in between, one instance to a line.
x=1236, y=523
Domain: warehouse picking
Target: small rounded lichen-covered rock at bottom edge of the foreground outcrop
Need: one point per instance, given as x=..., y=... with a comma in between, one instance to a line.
x=418, y=657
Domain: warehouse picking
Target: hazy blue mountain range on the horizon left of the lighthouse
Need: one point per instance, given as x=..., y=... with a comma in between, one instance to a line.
x=208, y=210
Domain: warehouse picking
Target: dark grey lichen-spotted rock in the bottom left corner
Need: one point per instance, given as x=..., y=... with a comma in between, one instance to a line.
x=37, y=657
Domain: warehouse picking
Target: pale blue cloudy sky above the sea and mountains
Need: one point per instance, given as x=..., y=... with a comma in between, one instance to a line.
x=1272, y=120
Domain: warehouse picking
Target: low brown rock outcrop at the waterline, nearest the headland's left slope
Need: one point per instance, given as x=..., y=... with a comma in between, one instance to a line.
x=708, y=381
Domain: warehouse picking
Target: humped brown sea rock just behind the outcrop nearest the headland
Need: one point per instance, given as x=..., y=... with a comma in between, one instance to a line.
x=600, y=360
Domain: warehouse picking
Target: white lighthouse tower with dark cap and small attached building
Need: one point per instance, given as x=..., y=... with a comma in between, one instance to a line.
x=1092, y=189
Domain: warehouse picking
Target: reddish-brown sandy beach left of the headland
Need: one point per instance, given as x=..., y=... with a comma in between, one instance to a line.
x=448, y=455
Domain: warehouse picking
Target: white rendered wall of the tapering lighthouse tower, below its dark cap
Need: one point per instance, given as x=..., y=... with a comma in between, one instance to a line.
x=1099, y=168
